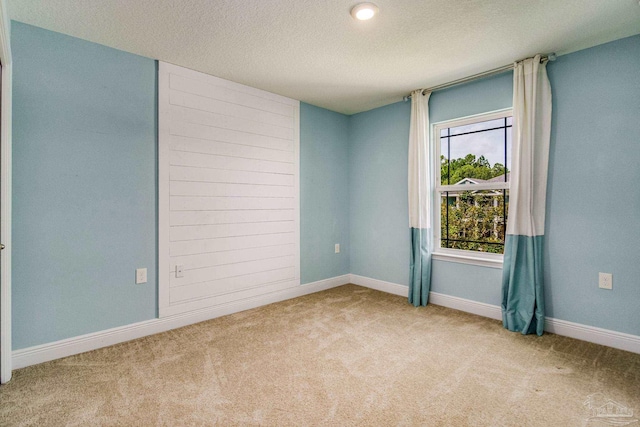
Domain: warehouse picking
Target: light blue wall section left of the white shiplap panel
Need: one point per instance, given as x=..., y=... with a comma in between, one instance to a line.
x=84, y=186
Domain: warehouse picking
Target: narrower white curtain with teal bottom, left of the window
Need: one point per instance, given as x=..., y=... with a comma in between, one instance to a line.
x=420, y=199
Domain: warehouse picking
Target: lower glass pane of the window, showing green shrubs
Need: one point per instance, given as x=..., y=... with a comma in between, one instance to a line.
x=474, y=220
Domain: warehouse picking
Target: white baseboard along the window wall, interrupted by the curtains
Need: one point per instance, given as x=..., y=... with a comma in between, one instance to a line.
x=587, y=333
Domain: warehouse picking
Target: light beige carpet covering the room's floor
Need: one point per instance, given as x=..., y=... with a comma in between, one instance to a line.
x=346, y=356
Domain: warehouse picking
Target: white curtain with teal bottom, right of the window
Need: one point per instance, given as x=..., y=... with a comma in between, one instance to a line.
x=522, y=275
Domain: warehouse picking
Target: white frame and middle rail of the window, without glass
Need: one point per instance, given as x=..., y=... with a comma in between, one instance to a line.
x=484, y=259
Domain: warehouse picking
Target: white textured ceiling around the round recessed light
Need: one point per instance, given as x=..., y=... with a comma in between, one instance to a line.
x=315, y=52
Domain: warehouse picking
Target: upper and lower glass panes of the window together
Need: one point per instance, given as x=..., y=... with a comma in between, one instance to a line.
x=477, y=153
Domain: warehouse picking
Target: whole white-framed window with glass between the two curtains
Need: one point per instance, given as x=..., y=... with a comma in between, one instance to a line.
x=473, y=158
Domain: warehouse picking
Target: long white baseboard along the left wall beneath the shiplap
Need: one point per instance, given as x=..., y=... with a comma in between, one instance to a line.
x=68, y=347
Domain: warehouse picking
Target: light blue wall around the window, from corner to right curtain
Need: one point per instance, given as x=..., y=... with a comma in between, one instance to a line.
x=379, y=200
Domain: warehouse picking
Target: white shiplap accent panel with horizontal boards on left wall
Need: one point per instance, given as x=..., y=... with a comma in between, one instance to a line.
x=229, y=205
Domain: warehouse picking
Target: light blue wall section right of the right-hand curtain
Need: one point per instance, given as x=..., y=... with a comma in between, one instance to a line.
x=593, y=202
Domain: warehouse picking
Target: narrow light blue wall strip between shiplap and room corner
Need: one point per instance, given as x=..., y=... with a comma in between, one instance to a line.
x=324, y=193
